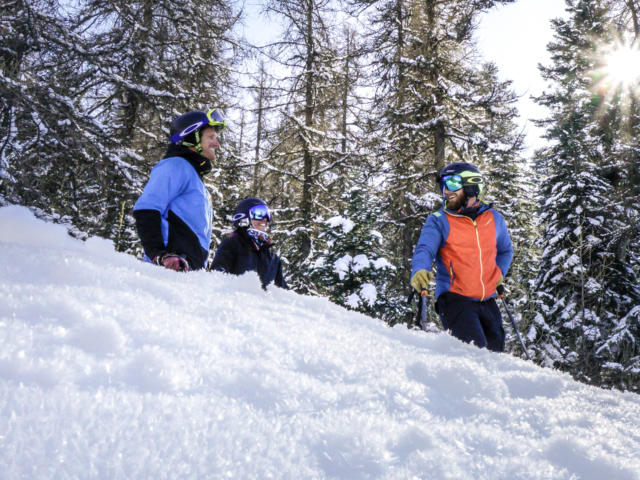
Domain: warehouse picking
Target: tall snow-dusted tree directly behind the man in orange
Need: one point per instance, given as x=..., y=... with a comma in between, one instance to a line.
x=432, y=106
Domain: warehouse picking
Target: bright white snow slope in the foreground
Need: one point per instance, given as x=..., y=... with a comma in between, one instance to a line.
x=112, y=368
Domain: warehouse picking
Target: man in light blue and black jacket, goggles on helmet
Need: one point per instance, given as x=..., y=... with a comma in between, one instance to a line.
x=174, y=215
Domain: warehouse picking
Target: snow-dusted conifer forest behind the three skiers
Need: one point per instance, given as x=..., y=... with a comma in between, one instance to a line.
x=340, y=124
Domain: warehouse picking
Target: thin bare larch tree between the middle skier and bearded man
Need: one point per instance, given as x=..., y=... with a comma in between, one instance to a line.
x=304, y=148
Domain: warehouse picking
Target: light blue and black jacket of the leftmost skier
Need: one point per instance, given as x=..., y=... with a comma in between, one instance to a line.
x=174, y=214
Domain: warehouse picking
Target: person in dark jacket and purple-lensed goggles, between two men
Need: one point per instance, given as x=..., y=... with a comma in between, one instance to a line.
x=248, y=248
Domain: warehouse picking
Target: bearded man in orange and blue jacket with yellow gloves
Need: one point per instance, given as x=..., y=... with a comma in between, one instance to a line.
x=469, y=242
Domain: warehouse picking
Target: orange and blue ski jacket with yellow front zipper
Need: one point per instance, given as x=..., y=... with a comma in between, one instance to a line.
x=470, y=255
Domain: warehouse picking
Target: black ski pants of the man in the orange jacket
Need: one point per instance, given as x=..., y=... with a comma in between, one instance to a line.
x=472, y=321
